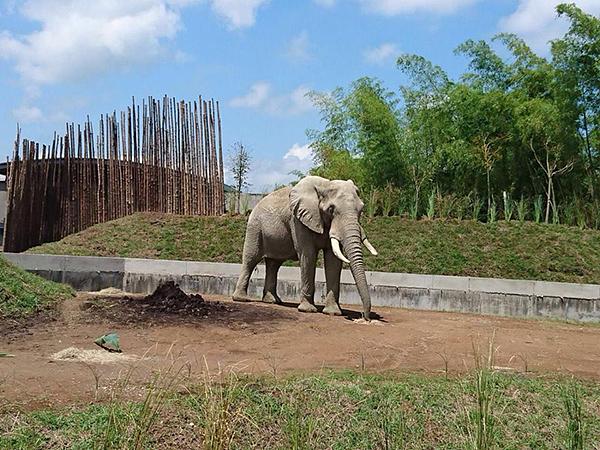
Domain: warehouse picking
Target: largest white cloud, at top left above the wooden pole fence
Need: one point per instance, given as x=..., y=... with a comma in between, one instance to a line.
x=76, y=39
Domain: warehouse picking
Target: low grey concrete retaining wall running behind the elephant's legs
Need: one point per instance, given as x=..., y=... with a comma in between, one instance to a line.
x=502, y=297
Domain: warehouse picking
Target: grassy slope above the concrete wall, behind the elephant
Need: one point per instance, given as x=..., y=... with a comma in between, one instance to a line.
x=507, y=250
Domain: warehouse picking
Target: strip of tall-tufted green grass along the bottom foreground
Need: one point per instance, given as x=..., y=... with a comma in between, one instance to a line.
x=337, y=410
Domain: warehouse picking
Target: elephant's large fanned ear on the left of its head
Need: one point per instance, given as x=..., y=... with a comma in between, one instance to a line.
x=304, y=202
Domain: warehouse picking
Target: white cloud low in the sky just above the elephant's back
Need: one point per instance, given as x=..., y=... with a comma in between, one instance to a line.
x=272, y=172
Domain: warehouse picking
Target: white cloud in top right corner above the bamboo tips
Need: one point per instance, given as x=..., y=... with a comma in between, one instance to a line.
x=536, y=21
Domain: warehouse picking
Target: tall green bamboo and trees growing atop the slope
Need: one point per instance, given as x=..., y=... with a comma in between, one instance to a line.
x=514, y=121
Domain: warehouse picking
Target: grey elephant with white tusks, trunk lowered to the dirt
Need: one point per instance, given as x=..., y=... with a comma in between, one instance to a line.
x=295, y=223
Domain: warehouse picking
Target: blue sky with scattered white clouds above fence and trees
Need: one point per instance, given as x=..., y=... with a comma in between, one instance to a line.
x=61, y=60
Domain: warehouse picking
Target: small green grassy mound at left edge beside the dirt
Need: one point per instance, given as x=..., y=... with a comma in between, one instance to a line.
x=23, y=294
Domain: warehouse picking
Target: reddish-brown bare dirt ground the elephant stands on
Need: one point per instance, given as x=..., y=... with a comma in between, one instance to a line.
x=263, y=338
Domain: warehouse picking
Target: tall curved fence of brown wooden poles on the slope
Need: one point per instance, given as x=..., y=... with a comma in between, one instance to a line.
x=161, y=157
